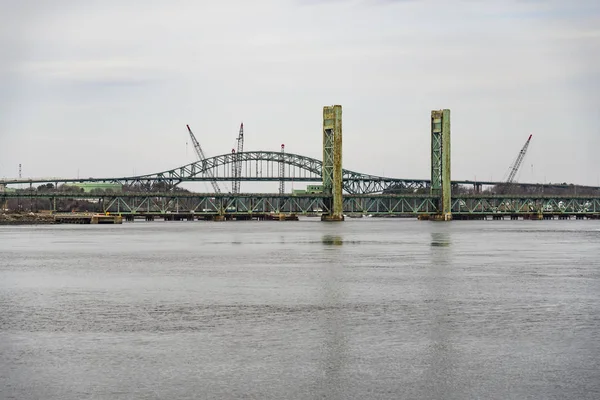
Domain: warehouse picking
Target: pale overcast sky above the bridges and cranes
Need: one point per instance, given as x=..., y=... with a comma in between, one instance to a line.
x=105, y=88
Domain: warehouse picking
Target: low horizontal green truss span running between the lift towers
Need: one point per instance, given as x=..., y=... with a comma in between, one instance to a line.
x=463, y=206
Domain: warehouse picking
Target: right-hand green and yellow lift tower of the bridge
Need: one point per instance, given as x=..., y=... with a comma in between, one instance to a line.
x=440, y=163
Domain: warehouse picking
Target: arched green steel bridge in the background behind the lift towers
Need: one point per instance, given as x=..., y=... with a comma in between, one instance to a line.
x=263, y=166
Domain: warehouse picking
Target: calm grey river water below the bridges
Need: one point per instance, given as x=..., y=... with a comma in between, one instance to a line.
x=365, y=309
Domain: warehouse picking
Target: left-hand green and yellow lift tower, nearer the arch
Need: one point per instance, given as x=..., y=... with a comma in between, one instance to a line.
x=332, y=163
